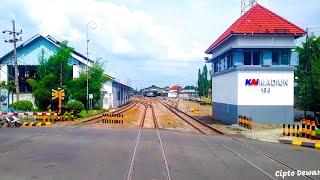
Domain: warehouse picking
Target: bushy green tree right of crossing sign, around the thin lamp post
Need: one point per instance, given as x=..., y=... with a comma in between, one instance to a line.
x=96, y=77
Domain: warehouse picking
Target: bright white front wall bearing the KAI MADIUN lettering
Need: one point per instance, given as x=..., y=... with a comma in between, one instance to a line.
x=252, y=95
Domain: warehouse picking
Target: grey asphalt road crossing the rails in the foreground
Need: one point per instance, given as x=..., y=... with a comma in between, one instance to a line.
x=52, y=153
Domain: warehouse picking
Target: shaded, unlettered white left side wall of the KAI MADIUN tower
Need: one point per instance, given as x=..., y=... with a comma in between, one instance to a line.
x=224, y=88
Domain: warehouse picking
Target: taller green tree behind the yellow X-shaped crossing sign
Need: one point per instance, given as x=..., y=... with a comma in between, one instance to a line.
x=50, y=72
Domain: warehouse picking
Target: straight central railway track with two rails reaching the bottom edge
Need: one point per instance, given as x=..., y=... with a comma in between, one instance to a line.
x=147, y=105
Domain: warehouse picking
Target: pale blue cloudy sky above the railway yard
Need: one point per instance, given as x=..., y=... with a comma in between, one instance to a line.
x=148, y=41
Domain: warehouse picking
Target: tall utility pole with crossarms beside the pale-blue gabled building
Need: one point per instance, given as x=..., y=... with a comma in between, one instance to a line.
x=14, y=41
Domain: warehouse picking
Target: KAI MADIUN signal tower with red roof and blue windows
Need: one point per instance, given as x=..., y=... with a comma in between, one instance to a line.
x=253, y=65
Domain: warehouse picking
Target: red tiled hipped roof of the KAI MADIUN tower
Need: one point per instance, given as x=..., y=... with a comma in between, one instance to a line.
x=259, y=20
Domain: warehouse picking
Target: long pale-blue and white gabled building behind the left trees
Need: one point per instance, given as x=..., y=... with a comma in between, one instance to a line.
x=27, y=57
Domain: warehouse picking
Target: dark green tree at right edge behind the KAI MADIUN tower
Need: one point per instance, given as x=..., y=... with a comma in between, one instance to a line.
x=308, y=74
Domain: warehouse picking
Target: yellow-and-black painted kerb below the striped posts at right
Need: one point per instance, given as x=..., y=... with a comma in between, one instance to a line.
x=297, y=141
